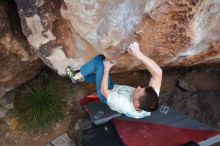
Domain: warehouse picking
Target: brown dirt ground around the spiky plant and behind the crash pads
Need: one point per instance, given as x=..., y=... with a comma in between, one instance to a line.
x=202, y=105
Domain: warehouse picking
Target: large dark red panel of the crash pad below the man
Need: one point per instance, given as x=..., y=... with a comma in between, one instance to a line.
x=135, y=133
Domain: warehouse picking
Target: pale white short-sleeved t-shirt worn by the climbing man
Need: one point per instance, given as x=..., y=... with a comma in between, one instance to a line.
x=120, y=100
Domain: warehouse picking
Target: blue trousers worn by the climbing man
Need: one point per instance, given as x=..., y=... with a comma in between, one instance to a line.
x=93, y=72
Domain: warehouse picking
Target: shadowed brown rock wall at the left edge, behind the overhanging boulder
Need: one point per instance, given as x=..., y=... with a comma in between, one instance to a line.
x=17, y=62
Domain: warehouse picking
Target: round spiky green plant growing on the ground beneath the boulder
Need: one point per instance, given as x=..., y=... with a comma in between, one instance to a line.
x=40, y=105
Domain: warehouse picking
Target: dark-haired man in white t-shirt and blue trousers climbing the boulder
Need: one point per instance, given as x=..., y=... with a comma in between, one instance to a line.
x=133, y=102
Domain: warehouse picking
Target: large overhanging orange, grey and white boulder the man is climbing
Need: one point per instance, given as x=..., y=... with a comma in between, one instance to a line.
x=173, y=33
